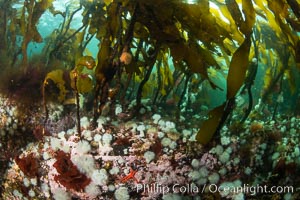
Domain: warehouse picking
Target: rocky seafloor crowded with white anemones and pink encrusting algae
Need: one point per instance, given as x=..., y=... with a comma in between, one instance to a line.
x=153, y=156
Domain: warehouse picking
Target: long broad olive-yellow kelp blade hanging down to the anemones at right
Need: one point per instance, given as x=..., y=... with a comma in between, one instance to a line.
x=236, y=74
